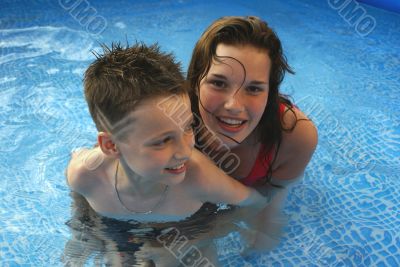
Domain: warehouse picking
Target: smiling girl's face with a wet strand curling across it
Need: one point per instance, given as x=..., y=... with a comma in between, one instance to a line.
x=234, y=93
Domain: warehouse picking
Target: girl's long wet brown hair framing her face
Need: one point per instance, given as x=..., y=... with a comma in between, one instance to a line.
x=252, y=31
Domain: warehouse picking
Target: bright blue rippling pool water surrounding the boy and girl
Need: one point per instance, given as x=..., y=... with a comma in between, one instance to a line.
x=345, y=212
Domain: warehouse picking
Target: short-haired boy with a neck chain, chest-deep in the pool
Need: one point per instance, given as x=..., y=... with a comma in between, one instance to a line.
x=145, y=167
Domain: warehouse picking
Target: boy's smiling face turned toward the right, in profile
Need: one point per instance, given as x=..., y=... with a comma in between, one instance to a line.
x=158, y=139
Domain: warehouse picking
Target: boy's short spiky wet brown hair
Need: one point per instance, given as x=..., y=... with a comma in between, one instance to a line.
x=121, y=77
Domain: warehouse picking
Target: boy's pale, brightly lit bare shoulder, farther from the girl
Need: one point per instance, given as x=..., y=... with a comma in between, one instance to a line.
x=85, y=170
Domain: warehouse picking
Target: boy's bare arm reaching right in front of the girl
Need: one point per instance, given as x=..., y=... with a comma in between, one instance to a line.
x=213, y=185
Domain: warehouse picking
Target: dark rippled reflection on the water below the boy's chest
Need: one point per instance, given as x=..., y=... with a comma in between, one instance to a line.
x=119, y=243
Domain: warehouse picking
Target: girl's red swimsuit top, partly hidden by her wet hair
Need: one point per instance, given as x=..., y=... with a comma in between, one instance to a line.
x=262, y=163
